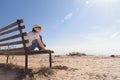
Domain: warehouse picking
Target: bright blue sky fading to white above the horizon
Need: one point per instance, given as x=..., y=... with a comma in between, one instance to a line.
x=89, y=26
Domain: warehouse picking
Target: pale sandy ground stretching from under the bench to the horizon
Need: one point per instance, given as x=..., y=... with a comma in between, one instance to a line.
x=68, y=67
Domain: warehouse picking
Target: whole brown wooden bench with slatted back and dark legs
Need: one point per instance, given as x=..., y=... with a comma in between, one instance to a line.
x=12, y=42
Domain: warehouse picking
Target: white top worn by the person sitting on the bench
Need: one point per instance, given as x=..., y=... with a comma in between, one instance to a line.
x=31, y=36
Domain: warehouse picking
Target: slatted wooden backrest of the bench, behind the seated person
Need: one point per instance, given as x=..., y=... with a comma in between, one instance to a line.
x=12, y=39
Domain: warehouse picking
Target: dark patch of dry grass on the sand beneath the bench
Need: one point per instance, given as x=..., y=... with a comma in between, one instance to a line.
x=43, y=71
